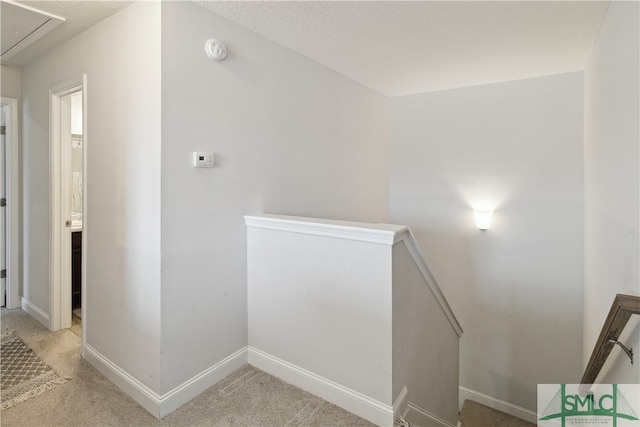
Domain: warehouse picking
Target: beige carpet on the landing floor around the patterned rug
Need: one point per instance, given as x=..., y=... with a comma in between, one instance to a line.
x=249, y=397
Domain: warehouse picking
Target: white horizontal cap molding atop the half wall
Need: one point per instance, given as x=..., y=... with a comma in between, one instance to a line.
x=372, y=233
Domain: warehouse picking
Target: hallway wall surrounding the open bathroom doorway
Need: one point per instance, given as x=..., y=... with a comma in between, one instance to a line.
x=121, y=58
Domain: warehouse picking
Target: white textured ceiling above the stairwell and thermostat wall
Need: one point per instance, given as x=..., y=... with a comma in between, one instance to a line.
x=401, y=48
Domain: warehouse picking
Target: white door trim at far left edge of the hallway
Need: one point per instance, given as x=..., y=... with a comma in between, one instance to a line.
x=13, y=233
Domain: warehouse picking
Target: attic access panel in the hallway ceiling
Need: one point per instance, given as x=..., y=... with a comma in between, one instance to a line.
x=21, y=26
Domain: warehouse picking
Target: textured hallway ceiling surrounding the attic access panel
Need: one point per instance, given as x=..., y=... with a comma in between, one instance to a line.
x=79, y=15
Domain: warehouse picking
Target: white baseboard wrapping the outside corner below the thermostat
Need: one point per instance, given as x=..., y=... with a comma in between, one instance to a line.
x=162, y=405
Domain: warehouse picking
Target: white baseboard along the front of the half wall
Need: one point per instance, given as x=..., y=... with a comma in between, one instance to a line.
x=351, y=400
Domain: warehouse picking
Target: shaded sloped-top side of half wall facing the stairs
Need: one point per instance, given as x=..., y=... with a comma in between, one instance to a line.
x=425, y=346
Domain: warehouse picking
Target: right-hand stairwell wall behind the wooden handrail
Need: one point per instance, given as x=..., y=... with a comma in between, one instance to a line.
x=612, y=179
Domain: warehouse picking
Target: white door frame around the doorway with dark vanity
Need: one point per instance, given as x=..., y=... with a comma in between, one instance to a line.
x=60, y=179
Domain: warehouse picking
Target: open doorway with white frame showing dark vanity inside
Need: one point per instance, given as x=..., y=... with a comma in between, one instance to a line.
x=68, y=202
